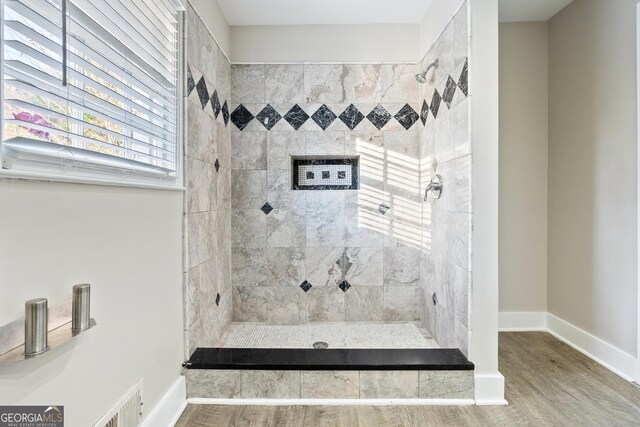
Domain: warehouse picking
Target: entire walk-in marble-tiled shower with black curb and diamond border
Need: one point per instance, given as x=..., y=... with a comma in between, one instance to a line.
x=307, y=225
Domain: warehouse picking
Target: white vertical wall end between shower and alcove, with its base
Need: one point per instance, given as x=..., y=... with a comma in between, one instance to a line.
x=483, y=95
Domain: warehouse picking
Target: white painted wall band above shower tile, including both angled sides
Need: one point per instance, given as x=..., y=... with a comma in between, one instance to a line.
x=327, y=43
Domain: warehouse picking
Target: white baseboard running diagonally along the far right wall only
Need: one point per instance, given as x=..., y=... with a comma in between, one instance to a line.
x=607, y=355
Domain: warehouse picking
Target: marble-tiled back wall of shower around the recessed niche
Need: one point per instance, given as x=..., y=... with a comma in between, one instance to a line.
x=325, y=256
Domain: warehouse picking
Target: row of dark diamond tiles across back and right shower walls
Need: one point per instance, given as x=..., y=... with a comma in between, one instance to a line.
x=379, y=116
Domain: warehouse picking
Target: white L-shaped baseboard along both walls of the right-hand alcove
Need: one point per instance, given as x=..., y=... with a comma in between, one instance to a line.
x=609, y=356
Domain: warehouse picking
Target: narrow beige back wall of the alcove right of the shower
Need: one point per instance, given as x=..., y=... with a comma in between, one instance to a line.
x=523, y=167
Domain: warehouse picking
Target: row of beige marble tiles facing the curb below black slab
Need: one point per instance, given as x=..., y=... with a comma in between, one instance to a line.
x=246, y=384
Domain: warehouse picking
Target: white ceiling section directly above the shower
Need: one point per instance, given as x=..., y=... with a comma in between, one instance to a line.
x=310, y=12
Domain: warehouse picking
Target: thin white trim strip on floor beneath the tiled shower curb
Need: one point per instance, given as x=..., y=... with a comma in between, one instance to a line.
x=332, y=402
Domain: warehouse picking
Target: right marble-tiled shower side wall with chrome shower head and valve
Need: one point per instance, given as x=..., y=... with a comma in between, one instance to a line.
x=445, y=149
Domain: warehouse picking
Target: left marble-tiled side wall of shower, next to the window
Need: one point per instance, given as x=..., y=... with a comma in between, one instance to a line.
x=208, y=181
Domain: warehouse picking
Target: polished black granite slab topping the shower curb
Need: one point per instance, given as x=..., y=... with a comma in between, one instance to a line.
x=436, y=359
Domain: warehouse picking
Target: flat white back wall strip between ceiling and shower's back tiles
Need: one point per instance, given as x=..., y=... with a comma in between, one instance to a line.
x=325, y=43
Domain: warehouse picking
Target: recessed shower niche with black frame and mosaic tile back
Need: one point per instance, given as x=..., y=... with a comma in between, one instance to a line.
x=321, y=173
